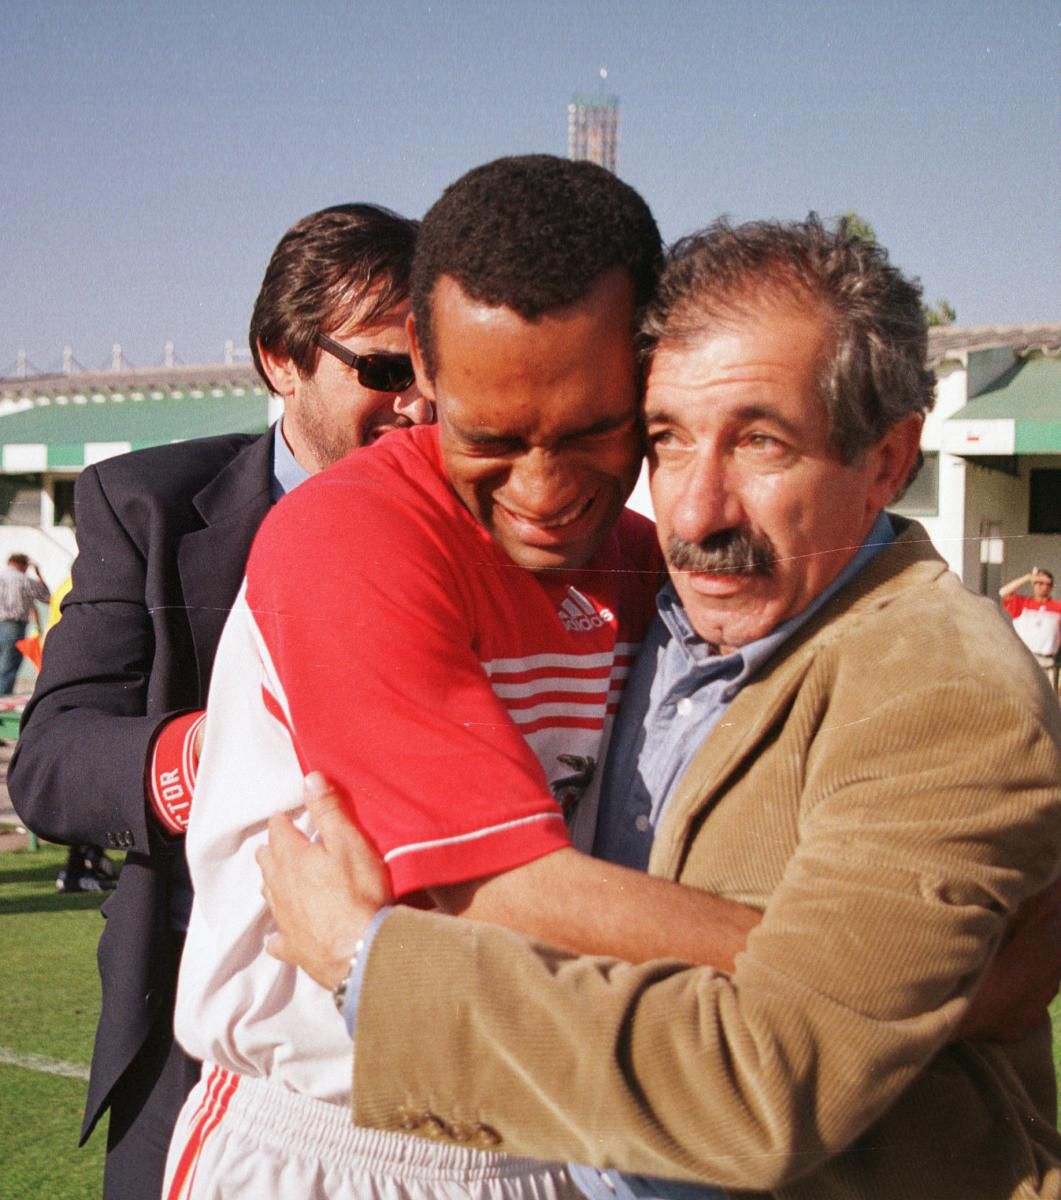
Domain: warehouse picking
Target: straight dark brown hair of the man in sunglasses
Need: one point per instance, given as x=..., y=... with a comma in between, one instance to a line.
x=323, y=269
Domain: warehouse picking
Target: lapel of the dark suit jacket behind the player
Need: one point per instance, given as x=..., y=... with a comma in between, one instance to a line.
x=212, y=561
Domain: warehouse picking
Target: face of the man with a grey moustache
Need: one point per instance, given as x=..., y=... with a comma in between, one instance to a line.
x=756, y=513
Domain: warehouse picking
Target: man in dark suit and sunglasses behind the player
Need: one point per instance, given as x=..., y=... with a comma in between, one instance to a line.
x=106, y=751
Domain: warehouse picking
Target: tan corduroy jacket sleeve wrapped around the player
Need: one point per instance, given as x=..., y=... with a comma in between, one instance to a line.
x=888, y=914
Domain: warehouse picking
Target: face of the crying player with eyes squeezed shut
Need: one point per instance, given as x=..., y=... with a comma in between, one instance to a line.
x=538, y=421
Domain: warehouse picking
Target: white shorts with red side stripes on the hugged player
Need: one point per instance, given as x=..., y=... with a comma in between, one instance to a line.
x=241, y=1138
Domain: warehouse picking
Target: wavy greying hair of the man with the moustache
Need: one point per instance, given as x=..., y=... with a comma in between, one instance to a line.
x=874, y=375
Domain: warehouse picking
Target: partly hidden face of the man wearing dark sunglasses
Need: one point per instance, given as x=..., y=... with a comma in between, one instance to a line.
x=331, y=412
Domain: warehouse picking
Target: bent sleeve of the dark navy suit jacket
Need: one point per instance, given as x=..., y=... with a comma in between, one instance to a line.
x=77, y=775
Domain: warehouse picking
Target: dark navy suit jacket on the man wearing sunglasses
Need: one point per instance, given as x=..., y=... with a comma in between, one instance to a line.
x=164, y=537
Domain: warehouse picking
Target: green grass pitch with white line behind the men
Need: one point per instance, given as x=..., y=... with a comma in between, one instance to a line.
x=49, y=1007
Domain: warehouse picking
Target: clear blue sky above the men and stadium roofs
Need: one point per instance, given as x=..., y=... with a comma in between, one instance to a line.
x=154, y=153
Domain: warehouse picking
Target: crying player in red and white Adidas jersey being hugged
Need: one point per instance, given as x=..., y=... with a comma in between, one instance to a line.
x=477, y=596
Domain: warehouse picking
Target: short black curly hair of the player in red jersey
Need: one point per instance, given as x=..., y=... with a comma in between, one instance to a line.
x=532, y=233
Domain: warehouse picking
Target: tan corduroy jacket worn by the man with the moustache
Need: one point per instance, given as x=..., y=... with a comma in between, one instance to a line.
x=889, y=791
